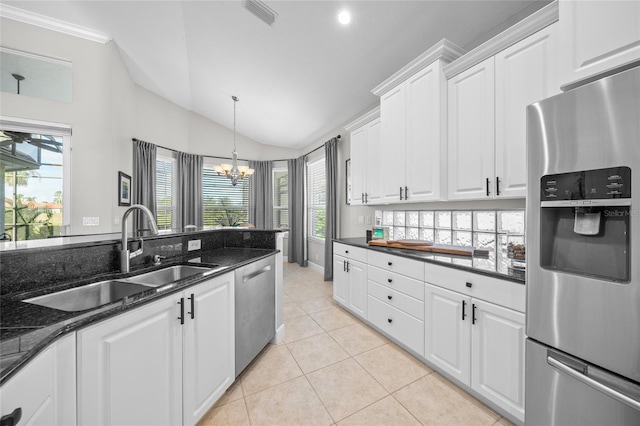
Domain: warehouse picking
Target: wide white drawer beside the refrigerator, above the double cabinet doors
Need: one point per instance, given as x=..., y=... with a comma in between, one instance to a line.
x=501, y=292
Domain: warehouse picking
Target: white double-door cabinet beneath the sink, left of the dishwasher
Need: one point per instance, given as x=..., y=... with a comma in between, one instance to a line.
x=163, y=363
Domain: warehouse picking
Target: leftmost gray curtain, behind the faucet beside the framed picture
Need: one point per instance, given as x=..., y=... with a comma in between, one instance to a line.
x=144, y=160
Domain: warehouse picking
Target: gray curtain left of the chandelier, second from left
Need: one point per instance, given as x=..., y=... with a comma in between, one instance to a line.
x=189, y=191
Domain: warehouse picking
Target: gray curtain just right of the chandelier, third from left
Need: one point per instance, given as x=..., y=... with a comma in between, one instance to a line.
x=261, y=195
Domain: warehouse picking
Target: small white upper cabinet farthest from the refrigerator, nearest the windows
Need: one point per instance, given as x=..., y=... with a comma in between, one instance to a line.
x=365, y=158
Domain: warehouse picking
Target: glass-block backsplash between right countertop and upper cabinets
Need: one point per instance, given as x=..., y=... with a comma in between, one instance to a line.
x=491, y=230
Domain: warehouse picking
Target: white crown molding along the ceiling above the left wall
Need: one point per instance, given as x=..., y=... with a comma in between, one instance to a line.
x=53, y=24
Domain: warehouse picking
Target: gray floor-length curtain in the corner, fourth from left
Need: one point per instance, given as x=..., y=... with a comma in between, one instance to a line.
x=297, y=228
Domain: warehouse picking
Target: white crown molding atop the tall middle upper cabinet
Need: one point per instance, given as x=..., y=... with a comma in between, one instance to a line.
x=444, y=50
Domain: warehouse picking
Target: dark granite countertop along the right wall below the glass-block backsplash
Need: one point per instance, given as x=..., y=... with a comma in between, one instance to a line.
x=475, y=264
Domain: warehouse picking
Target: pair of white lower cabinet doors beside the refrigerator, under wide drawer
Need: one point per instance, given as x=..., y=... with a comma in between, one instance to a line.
x=478, y=343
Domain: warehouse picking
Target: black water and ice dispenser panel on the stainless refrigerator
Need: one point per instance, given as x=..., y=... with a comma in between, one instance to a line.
x=585, y=218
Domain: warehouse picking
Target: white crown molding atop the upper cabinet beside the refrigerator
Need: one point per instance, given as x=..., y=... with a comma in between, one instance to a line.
x=521, y=30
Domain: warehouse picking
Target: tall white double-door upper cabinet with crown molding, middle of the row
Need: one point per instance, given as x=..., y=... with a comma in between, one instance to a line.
x=413, y=129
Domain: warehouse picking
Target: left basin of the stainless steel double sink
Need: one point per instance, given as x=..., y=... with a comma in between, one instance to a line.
x=88, y=296
